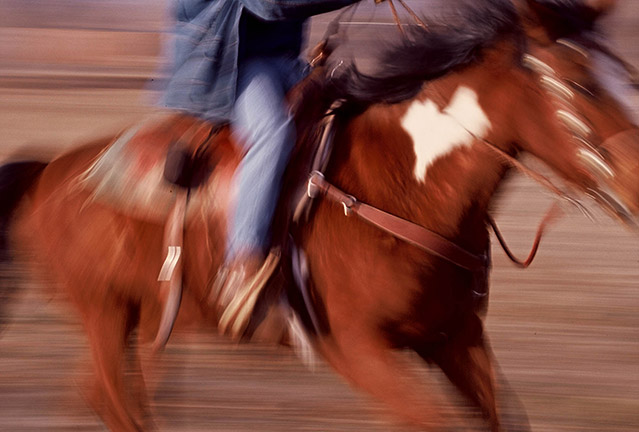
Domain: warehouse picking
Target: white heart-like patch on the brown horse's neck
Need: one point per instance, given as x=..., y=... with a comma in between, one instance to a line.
x=436, y=133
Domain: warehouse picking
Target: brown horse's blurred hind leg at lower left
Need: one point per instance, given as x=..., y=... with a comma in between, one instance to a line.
x=108, y=328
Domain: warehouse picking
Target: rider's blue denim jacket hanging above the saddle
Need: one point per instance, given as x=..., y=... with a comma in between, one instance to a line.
x=213, y=36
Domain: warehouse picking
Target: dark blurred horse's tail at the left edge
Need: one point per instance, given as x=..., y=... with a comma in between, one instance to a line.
x=15, y=180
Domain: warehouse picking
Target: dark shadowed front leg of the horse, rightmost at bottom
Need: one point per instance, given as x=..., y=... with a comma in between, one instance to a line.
x=467, y=362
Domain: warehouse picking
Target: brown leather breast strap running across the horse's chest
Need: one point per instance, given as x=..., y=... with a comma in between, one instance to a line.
x=407, y=231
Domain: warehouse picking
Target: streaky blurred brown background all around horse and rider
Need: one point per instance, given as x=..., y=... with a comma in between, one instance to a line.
x=565, y=331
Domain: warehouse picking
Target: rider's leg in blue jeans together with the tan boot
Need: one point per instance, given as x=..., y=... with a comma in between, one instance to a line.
x=263, y=123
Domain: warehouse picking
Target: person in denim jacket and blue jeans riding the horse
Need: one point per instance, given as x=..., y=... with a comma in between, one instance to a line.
x=234, y=62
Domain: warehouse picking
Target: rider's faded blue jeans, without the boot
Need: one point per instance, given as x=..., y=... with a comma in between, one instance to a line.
x=263, y=123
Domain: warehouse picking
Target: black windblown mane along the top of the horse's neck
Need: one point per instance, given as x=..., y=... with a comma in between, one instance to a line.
x=425, y=54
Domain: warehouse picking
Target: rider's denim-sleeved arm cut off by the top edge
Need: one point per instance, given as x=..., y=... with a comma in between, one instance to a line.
x=278, y=10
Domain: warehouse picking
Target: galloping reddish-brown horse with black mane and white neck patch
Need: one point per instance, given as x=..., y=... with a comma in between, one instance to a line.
x=397, y=240
